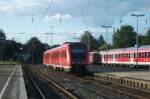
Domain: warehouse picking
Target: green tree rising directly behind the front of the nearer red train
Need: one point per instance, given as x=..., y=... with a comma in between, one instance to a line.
x=88, y=39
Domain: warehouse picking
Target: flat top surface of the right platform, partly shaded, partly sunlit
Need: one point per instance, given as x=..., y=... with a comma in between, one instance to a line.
x=122, y=72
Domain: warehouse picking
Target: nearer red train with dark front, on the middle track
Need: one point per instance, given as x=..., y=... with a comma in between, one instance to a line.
x=70, y=57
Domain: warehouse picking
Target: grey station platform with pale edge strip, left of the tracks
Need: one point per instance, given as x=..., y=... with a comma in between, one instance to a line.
x=12, y=84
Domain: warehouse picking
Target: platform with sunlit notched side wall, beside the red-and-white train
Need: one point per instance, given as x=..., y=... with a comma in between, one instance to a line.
x=138, y=78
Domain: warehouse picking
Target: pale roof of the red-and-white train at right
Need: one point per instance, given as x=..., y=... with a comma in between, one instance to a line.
x=127, y=50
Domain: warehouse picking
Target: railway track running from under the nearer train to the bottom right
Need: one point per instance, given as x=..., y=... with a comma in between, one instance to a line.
x=93, y=87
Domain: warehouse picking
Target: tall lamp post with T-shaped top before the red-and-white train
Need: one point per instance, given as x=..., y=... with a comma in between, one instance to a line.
x=137, y=39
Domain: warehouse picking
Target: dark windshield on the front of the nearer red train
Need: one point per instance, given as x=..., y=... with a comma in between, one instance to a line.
x=78, y=51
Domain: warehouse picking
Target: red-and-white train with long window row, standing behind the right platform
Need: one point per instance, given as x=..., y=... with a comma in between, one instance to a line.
x=127, y=56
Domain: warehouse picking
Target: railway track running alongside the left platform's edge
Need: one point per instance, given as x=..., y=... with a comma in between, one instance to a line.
x=60, y=91
